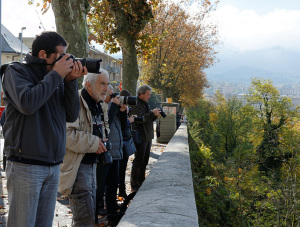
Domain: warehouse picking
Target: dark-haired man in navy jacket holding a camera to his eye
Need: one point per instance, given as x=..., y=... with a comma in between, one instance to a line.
x=40, y=97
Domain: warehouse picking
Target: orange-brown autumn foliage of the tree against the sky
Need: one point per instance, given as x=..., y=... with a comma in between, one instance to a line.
x=182, y=46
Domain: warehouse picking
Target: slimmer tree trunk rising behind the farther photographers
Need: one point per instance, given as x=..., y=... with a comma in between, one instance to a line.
x=130, y=66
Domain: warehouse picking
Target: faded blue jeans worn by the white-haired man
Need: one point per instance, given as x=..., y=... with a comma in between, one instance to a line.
x=83, y=196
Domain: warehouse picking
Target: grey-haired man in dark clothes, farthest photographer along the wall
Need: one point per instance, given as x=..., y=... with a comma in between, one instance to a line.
x=142, y=154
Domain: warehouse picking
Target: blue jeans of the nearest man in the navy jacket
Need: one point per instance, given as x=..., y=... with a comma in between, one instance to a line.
x=32, y=193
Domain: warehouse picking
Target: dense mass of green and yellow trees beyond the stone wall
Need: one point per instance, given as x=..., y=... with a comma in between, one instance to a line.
x=225, y=144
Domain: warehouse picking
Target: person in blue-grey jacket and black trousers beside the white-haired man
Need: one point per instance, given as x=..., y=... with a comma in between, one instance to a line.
x=117, y=115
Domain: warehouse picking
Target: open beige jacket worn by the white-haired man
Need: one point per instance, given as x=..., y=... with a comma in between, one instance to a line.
x=79, y=140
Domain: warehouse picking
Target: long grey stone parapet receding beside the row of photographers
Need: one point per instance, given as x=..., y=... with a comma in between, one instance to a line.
x=166, y=198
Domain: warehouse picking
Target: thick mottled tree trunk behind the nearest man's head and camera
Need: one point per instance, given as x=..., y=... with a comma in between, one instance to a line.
x=70, y=20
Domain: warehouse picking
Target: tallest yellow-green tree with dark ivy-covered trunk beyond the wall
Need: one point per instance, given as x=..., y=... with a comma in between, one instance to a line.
x=271, y=112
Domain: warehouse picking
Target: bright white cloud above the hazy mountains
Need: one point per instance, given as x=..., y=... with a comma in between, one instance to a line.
x=247, y=30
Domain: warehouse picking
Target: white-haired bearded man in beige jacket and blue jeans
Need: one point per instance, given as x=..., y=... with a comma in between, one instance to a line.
x=84, y=143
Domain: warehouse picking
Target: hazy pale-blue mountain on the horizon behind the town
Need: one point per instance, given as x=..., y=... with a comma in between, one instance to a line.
x=279, y=65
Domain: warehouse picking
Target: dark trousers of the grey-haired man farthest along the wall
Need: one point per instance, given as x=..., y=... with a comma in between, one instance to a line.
x=139, y=164
